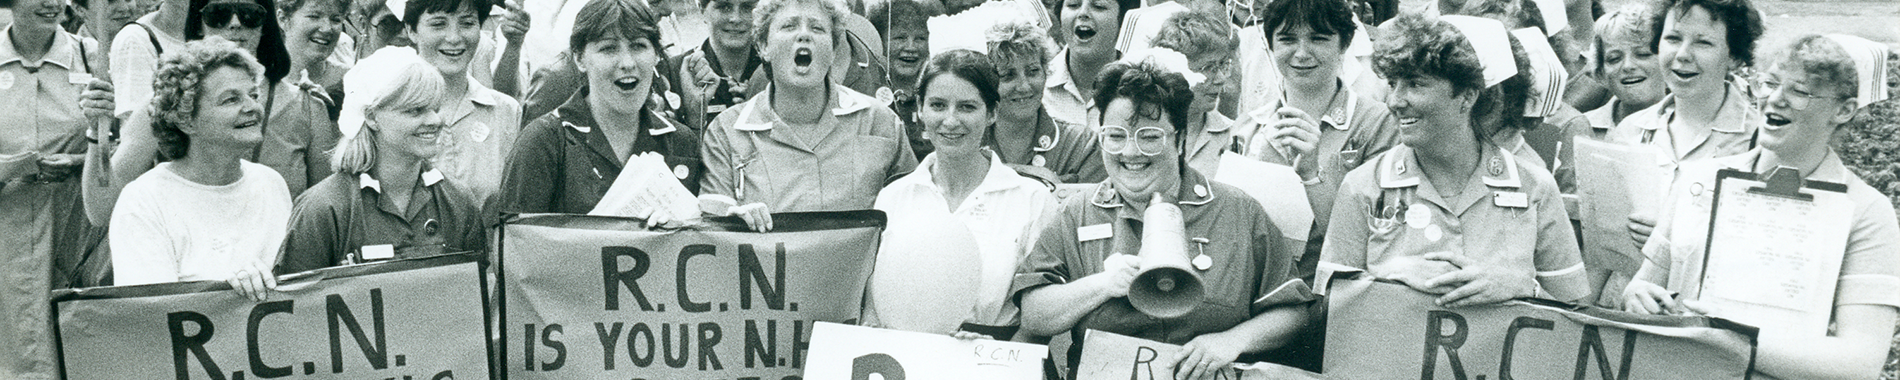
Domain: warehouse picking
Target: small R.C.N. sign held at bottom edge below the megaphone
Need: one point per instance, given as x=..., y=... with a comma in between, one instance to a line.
x=1118, y=356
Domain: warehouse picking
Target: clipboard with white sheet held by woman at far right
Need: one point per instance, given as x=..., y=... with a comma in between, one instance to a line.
x=1774, y=252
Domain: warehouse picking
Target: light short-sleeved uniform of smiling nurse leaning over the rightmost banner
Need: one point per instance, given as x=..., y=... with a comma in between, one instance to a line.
x=1510, y=214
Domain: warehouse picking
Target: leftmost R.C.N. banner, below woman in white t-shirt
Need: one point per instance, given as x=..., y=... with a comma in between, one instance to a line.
x=415, y=320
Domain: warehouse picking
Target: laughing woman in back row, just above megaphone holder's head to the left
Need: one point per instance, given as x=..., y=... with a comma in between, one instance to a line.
x=1090, y=31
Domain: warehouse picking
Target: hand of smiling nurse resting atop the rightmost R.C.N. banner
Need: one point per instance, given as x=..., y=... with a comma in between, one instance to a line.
x=1479, y=284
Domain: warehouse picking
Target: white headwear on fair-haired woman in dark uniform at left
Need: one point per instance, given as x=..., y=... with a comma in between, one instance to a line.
x=371, y=81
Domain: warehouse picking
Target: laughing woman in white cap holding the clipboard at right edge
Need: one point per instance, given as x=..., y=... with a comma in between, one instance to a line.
x=1817, y=86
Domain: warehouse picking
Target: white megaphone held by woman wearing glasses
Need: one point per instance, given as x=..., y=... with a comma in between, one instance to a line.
x=1168, y=286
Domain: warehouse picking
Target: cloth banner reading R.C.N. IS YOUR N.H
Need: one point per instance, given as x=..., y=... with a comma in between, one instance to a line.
x=603, y=297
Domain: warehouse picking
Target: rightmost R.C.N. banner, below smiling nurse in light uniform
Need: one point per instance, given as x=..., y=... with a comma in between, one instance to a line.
x=1378, y=330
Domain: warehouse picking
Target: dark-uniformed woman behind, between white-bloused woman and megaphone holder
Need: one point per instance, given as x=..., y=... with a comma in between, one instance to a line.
x=1025, y=136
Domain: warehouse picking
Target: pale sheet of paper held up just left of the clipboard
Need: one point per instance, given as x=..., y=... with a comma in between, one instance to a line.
x=1614, y=181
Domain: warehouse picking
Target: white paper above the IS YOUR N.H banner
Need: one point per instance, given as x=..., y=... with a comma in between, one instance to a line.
x=645, y=185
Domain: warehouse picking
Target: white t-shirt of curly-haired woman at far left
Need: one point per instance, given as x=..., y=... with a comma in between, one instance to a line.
x=168, y=229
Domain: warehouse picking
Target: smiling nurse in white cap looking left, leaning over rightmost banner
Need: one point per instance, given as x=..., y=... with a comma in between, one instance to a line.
x=1449, y=212
